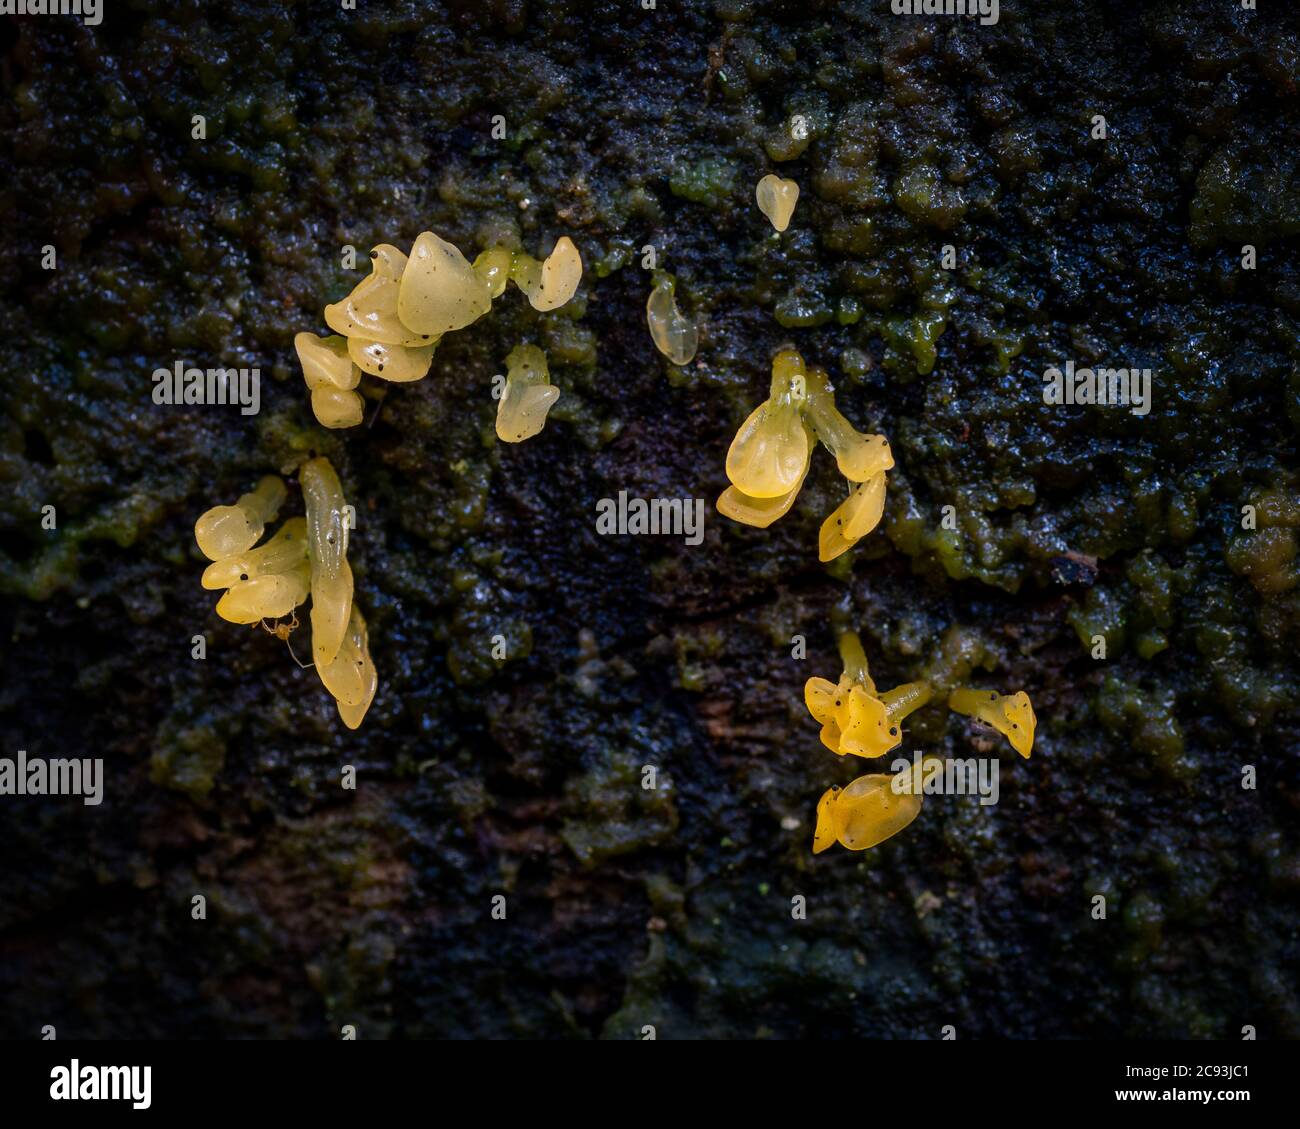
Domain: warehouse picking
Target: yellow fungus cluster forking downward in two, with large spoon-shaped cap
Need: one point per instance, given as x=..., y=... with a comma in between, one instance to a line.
x=770, y=457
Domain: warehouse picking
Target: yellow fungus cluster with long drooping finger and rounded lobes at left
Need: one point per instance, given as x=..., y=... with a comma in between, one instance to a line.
x=306, y=557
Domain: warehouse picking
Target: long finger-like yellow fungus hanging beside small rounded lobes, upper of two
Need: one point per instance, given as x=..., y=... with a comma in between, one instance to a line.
x=327, y=550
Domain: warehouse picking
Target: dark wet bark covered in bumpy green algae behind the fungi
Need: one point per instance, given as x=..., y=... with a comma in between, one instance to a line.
x=626, y=906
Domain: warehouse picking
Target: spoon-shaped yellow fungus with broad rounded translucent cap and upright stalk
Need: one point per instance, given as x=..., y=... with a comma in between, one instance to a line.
x=770, y=453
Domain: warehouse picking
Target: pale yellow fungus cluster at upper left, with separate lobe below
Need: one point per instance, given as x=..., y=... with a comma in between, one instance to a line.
x=392, y=323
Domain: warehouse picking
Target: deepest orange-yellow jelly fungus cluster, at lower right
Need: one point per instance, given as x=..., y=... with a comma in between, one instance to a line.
x=860, y=721
